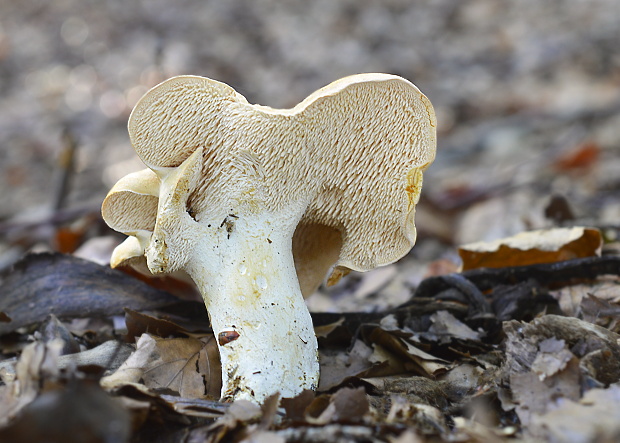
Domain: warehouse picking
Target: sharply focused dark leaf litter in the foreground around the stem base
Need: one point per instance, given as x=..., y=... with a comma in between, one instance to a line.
x=486, y=354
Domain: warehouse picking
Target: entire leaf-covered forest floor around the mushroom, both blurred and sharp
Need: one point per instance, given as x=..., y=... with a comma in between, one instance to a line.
x=528, y=107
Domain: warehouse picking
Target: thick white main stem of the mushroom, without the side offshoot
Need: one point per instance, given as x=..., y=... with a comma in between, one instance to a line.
x=245, y=271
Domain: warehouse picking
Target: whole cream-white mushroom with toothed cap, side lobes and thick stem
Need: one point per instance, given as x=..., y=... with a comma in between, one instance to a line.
x=258, y=204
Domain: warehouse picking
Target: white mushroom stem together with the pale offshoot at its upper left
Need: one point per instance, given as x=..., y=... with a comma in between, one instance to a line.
x=242, y=262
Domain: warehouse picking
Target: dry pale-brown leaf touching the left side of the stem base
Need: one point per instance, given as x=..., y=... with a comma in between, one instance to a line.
x=187, y=366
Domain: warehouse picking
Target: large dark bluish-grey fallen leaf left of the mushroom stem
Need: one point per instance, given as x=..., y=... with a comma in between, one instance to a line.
x=41, y=284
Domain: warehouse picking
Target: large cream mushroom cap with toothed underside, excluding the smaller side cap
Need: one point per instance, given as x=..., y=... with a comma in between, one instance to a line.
x=351, y=155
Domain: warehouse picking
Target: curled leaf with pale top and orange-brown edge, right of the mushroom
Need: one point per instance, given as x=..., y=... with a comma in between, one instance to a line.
x=533, y=247
